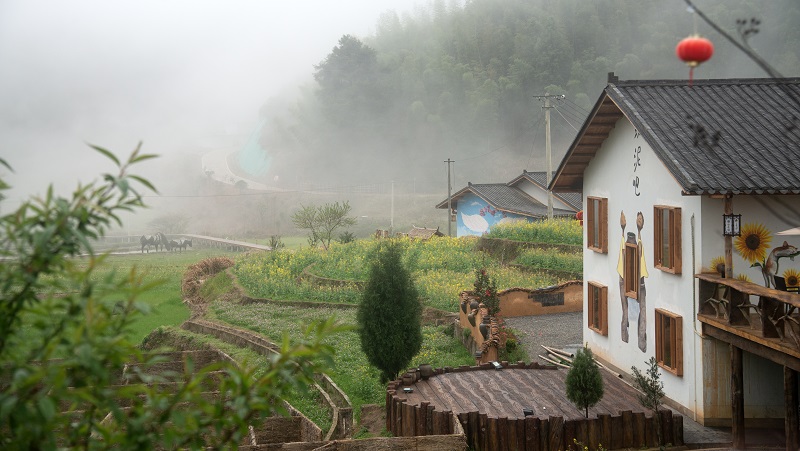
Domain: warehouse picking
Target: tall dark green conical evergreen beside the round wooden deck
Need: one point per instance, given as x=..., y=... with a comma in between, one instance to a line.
x=389, y=315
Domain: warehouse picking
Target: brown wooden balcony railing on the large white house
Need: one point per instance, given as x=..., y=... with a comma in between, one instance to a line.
x=769, y=316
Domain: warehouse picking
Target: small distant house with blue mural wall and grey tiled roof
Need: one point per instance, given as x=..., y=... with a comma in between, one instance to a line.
x=478, y=207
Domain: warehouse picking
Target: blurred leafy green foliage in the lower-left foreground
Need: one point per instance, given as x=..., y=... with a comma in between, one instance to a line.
x=63, y=340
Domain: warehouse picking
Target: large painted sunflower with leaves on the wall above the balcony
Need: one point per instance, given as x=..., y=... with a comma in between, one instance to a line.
x=753, y=245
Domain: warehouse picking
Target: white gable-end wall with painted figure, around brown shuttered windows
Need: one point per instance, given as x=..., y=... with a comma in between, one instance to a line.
x=629, y=174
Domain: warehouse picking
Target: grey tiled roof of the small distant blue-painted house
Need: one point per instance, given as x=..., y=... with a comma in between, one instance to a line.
x=506, y=198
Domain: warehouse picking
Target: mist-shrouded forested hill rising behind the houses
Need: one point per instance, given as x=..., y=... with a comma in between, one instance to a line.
x=460, y=80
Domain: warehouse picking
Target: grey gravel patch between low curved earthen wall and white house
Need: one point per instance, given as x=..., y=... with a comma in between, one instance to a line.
x=556, y=330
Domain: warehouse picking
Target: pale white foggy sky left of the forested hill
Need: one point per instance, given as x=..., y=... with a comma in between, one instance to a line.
x=177, y=75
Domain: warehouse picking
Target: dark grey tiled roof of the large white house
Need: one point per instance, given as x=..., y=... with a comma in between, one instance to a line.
x=715, y=137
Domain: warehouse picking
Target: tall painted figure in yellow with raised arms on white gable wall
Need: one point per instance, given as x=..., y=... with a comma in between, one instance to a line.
x=632, y=272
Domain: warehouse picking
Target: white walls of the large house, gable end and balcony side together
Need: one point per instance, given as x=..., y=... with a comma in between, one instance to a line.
x=629, y=174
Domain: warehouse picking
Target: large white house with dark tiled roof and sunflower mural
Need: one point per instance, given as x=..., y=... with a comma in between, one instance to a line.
x=658, y=163
